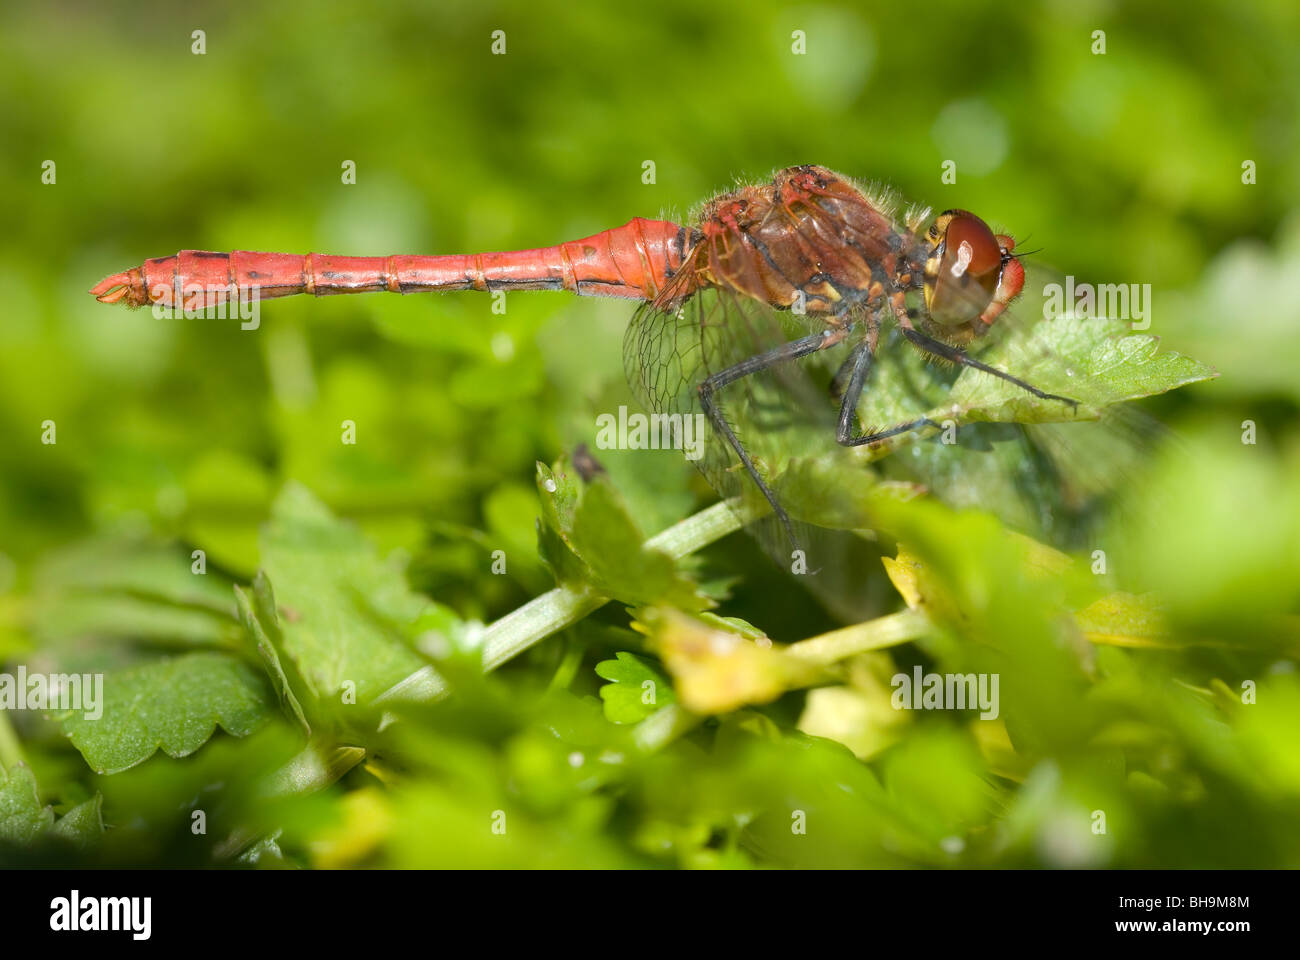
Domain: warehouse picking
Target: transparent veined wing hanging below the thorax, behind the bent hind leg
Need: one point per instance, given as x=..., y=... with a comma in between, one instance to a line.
x=783, y=416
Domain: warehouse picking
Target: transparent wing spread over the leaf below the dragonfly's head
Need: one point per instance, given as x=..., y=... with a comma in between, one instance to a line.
x=1043, y=468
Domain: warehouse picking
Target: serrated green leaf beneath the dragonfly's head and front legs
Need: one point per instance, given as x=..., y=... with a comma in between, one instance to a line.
x=1039, y=465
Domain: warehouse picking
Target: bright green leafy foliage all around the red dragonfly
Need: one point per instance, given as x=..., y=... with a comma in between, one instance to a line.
x=292, y=629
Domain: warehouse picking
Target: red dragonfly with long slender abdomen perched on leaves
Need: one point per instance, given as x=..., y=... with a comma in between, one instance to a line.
x=808, y=265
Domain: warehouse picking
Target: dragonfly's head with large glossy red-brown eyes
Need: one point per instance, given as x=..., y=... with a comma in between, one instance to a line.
x=972, y=275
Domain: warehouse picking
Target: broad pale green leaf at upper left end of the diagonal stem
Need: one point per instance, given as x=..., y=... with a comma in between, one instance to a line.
x=344, y=611
